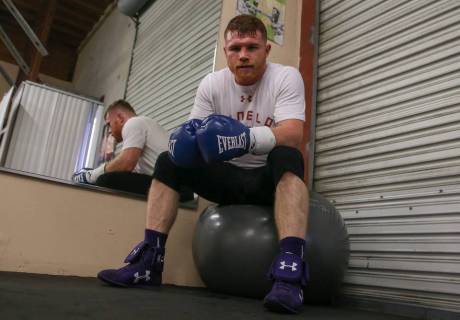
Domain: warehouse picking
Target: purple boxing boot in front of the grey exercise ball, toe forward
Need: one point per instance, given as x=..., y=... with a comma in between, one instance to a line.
x=289, y=273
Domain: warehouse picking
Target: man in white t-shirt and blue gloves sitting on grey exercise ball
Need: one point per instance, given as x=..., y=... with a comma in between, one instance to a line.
x=240, y=146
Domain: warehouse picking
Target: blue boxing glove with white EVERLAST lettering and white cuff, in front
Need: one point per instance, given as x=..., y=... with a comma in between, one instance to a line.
x=222, y=138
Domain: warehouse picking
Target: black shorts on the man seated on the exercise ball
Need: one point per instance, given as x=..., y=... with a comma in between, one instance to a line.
x=225, y=183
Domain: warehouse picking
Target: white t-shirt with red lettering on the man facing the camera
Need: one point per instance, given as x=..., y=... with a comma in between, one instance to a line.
x=277, y=96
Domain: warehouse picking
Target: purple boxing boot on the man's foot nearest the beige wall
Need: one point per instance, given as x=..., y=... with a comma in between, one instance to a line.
x=145, y=265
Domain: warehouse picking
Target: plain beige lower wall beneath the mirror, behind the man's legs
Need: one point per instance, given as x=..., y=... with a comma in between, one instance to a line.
x=55, y=228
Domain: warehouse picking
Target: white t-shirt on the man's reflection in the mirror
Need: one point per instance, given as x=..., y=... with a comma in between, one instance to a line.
x=145, y=133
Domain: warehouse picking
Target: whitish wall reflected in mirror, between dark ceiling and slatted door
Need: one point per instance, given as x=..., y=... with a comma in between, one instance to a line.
x=103, y=63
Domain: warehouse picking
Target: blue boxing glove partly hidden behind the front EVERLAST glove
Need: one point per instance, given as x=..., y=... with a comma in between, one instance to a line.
x=183, y=147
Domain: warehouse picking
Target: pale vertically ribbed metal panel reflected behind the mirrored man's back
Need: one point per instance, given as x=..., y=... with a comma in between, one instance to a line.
x=48, y=133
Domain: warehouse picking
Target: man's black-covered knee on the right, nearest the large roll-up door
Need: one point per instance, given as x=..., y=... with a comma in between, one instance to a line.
x=284, y=159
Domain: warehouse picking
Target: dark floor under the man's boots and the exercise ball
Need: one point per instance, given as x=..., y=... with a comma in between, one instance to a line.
x=30, y=296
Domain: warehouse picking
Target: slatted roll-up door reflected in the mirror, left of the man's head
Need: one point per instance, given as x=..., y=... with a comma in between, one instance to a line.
x=174, y=50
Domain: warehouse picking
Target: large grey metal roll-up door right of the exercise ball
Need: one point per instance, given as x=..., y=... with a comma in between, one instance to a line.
x=387, y=146
